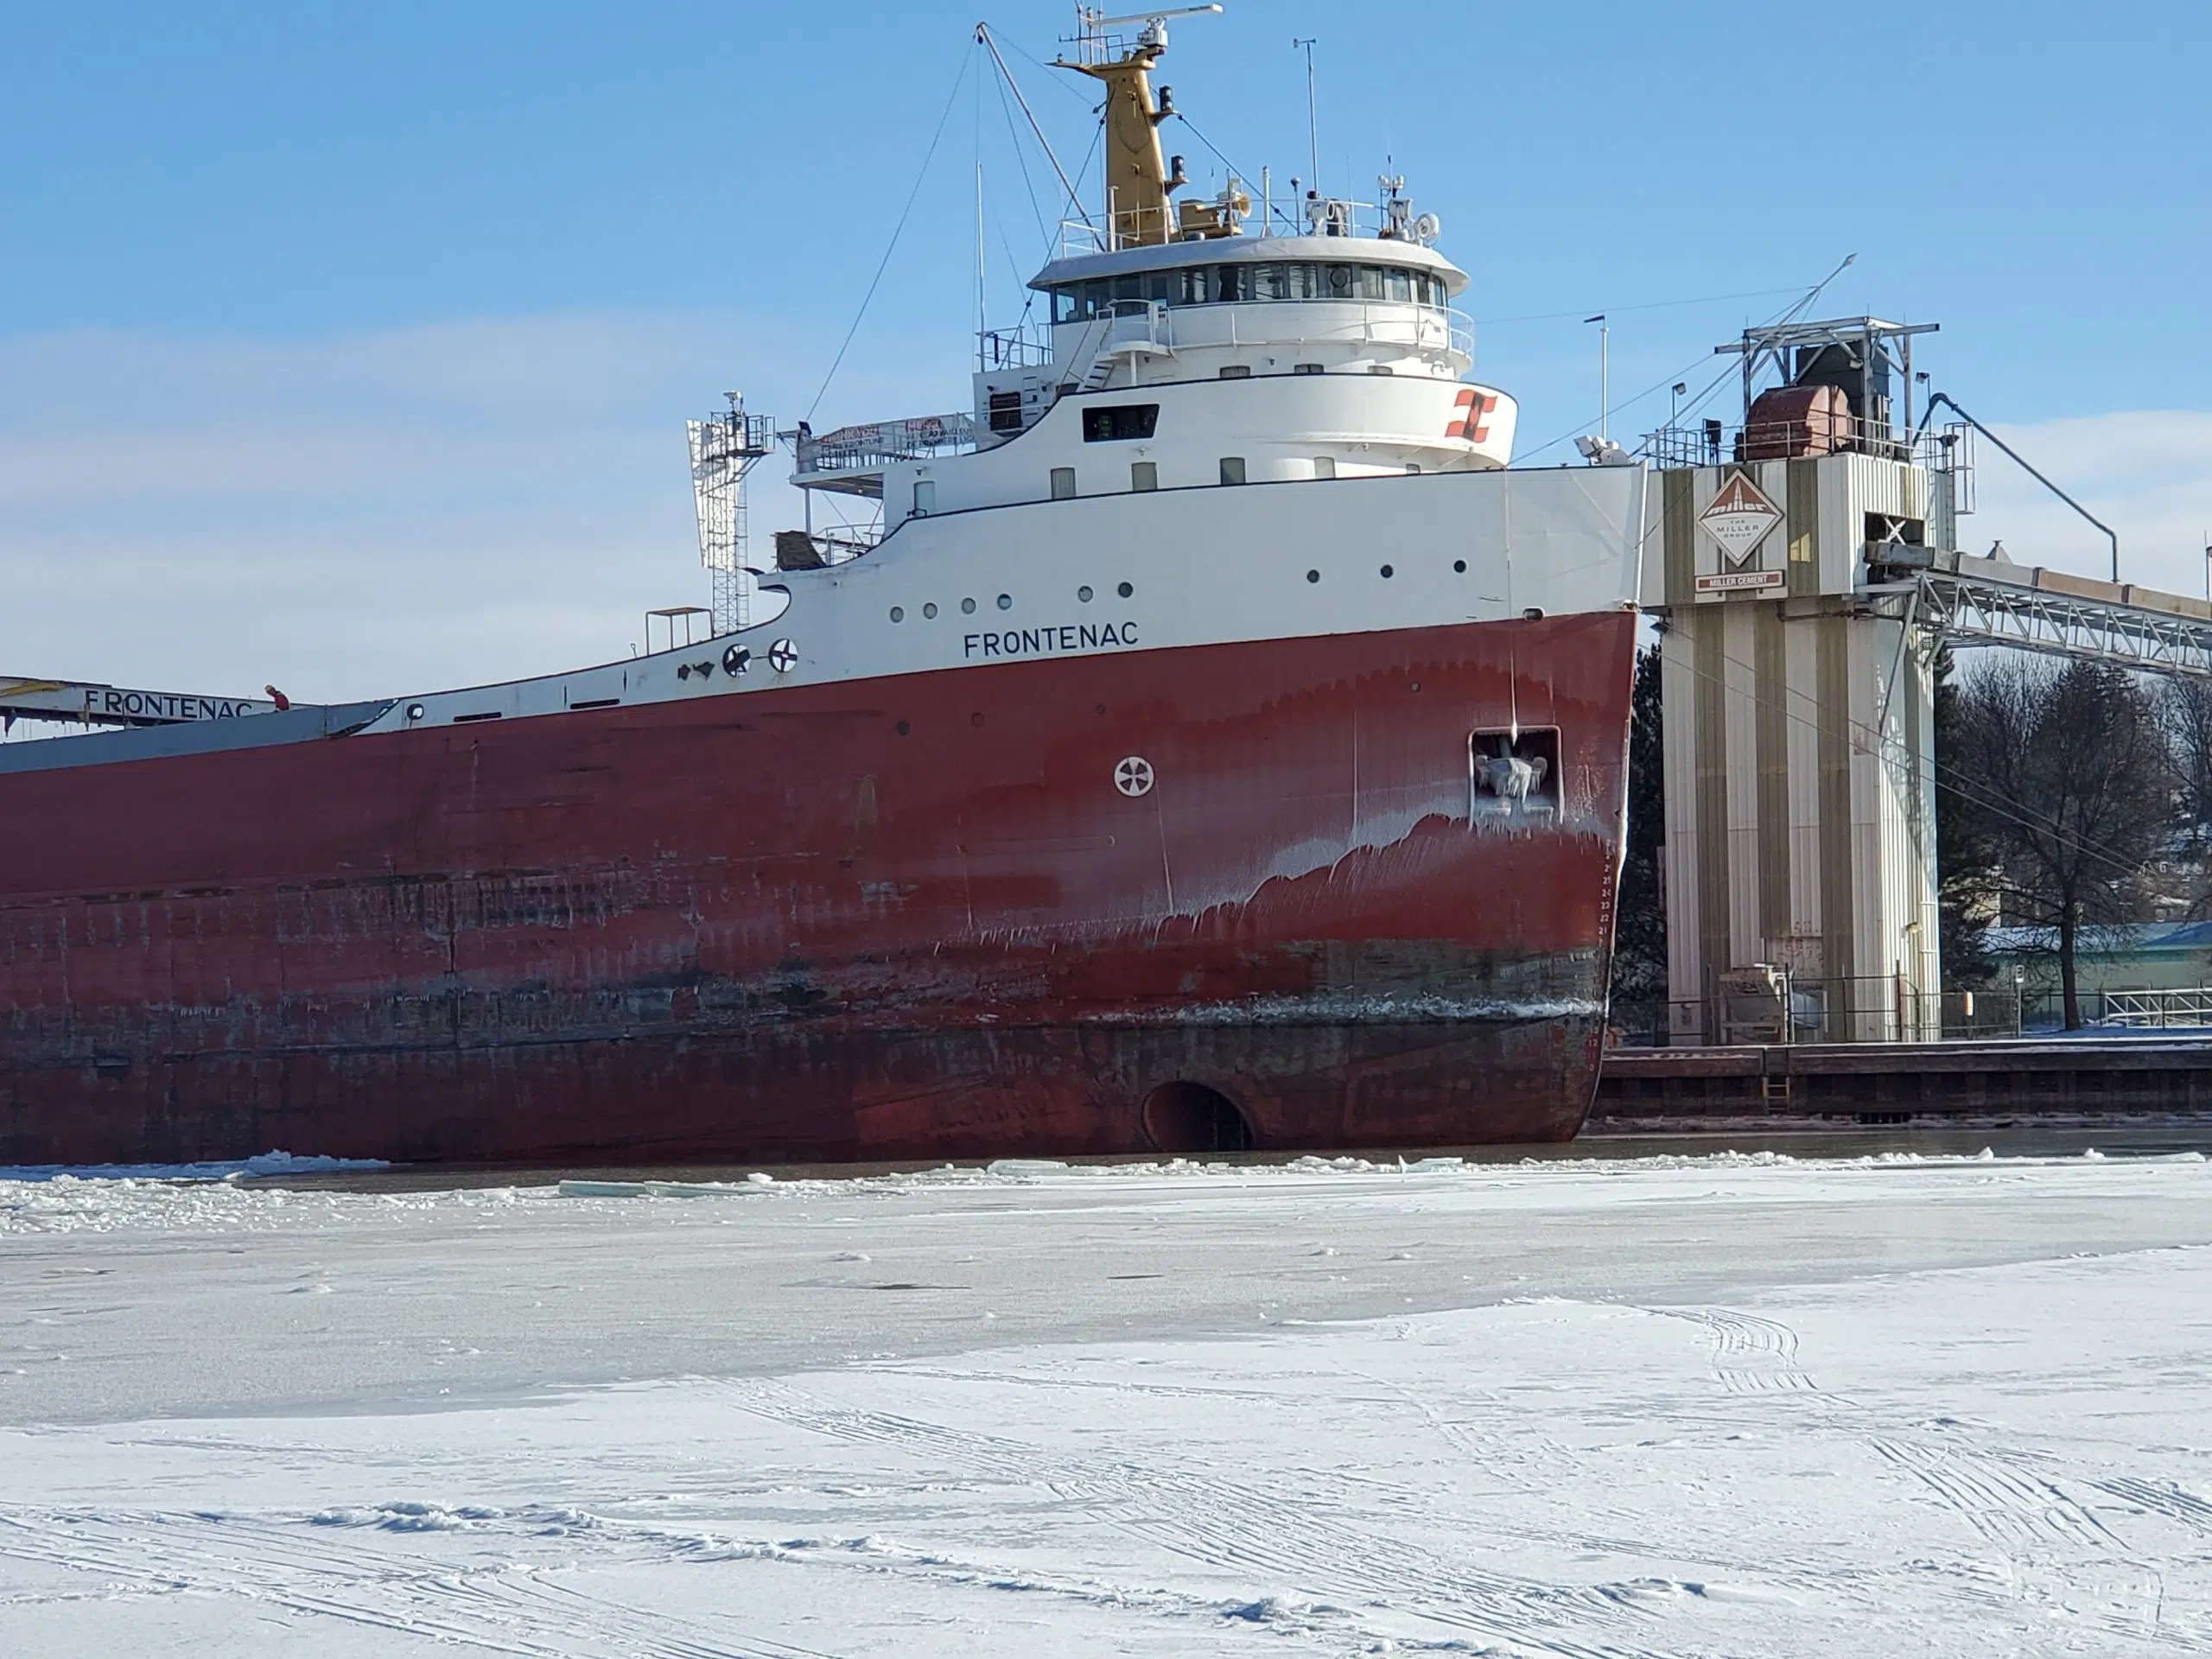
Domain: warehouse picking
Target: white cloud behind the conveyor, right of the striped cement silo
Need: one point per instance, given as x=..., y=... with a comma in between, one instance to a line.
x=2147, y=474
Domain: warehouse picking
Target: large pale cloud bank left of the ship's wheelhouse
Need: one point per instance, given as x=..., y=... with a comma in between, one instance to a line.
x=382, y=512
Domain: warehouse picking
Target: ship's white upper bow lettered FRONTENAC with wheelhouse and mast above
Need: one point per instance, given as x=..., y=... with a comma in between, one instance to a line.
x=1233, y=426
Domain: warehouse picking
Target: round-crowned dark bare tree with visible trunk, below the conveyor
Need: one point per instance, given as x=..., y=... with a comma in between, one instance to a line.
x=2072, y=778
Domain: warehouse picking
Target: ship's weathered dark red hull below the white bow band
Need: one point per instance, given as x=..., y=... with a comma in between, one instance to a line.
x=895, y=919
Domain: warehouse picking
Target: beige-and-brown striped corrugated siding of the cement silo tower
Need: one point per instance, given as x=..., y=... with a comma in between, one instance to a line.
x=1804, y=833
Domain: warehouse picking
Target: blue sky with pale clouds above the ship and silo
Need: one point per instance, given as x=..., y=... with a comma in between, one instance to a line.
x=401, y=306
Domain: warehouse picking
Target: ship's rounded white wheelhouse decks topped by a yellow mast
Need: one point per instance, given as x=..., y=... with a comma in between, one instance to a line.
x=1196, y=346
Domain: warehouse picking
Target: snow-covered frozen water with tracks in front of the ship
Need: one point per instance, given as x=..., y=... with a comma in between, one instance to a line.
x=1578, y=1408
